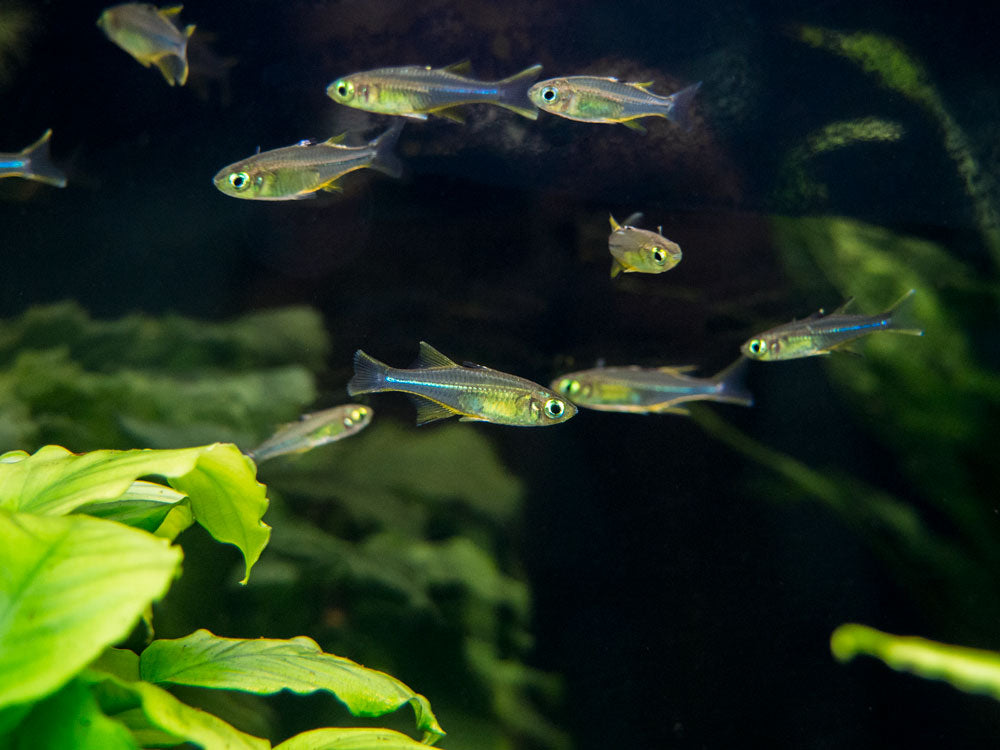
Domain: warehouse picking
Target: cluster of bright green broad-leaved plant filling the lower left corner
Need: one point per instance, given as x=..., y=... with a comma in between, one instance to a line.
x=73, y=584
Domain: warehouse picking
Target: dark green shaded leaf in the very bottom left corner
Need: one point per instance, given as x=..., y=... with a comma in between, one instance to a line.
x=71, y=719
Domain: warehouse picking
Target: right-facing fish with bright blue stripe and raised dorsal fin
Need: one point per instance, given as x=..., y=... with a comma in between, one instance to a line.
x=441, y=388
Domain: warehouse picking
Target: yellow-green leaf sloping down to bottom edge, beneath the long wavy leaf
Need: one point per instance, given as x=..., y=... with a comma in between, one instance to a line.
x=157, y=717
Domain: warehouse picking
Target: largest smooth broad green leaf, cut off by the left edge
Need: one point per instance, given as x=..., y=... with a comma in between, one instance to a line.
x=69, y=587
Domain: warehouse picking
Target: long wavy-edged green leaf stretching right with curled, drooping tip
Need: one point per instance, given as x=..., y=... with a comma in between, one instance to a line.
x=268, y=666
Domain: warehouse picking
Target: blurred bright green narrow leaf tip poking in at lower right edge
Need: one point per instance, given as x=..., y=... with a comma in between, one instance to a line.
x=969, y=669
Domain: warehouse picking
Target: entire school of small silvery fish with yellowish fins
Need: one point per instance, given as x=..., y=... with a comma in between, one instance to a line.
x=440, y=387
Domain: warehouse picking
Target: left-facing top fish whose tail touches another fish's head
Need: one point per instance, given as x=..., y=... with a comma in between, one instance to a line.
x=414, y=91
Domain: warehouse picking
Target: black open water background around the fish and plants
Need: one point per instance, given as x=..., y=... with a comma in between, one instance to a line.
x=683, y=593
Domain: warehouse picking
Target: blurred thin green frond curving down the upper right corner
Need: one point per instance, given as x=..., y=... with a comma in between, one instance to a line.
x=898, y=69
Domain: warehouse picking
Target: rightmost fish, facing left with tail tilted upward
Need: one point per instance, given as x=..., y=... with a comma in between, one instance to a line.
x=821, y=334
